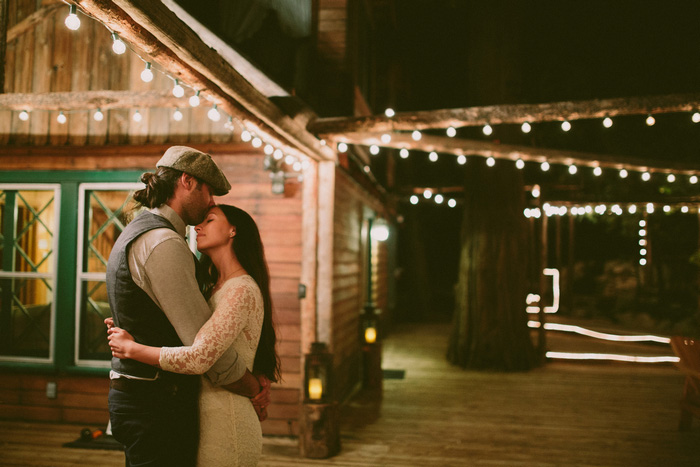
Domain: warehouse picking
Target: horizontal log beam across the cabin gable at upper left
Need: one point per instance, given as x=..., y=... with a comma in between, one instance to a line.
x=85, y=100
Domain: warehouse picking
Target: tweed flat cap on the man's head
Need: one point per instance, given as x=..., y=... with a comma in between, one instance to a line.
x=197, y=164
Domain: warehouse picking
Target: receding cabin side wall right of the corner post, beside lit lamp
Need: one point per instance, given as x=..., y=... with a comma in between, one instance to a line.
x=353, y=205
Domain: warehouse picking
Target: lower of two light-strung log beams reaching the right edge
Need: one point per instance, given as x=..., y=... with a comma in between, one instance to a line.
x=457, y=146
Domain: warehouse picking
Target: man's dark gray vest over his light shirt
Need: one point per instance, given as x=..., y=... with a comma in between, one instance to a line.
x=132, y=308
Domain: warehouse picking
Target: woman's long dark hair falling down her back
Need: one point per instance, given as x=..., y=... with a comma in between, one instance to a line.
x=249, y=250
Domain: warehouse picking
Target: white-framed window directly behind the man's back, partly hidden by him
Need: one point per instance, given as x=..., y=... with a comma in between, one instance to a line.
x=105, y=209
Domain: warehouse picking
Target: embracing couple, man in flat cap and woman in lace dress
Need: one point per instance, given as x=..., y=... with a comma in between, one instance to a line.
x=174, y=318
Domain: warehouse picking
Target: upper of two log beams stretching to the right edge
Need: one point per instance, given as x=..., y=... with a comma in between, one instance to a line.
x=500, y=114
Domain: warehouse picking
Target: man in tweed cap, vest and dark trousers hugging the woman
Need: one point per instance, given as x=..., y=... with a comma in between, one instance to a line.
x=155, y=295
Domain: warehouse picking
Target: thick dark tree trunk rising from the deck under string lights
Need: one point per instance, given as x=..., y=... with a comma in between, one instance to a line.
x=490, y=323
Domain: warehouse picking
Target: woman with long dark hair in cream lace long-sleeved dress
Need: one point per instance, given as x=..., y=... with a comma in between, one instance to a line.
x=239, y=295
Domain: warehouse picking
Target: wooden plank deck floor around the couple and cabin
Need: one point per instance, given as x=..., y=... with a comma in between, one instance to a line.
x=564, y=414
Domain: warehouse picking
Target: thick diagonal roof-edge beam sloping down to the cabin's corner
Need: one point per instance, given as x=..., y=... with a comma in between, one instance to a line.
x=153, y=28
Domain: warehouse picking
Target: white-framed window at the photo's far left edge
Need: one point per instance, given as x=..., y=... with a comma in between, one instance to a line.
x=28, y=256
